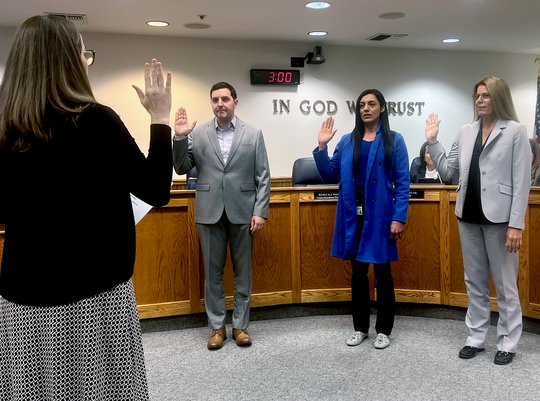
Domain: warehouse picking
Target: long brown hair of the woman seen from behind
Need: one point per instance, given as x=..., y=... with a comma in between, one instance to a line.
x=44, y=76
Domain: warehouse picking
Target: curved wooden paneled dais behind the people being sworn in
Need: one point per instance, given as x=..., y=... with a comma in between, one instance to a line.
x=291, y=262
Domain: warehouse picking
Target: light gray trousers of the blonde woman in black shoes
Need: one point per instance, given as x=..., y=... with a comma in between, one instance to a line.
x=484, y=251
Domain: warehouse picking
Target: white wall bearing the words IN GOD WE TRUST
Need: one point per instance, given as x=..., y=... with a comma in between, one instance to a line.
x=442, y=80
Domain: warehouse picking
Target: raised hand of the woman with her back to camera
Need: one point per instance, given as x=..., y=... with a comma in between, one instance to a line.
x=156, y=98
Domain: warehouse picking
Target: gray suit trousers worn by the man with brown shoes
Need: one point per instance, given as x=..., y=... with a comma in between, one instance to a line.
x=214, y=239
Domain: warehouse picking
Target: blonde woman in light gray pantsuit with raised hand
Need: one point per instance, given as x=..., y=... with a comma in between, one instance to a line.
x=492, y=157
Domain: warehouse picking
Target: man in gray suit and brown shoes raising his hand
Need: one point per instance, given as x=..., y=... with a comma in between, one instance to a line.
x=232, y=201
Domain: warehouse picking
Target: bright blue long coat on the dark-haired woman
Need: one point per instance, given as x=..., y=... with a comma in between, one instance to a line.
x=386, y=199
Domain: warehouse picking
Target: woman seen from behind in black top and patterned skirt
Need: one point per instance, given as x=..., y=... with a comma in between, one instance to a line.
x=69, y=327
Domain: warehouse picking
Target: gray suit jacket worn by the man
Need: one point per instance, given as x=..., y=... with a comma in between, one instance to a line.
x=241, y=187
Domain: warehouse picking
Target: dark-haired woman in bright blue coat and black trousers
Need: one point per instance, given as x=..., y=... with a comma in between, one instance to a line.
x=372, y=166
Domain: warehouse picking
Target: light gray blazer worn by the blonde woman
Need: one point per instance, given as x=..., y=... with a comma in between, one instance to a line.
x=505, y=170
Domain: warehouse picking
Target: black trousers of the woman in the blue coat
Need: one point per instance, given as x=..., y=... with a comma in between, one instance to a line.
x=386, y=298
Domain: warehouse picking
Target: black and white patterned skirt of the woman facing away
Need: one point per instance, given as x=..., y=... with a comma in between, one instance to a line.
x=86, y=350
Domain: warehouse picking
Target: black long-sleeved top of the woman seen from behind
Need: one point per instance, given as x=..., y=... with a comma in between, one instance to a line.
x=69, y=226
